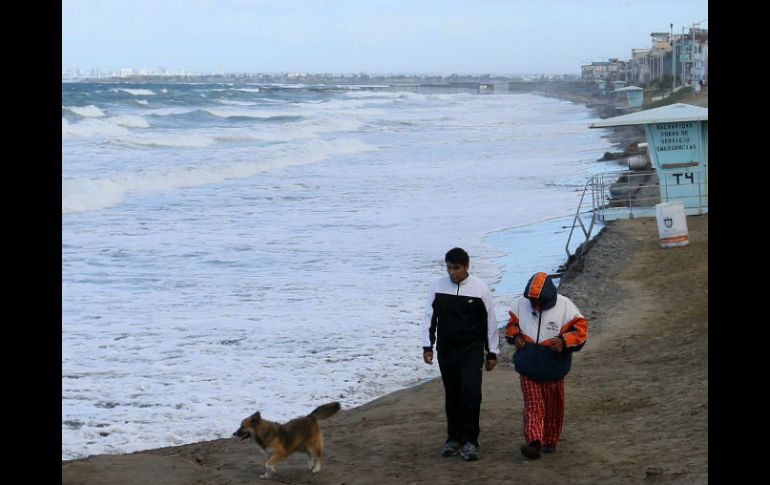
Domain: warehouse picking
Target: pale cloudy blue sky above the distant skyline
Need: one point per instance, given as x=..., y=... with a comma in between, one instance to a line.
x=373, y=36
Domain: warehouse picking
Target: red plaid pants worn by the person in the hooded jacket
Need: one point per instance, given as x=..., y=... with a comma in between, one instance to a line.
x=543, y=410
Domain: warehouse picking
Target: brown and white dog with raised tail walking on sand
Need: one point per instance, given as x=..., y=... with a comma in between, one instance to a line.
x=278, y=441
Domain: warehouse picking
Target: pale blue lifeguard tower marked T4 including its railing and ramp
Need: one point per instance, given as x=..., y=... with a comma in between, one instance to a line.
x=677, y=145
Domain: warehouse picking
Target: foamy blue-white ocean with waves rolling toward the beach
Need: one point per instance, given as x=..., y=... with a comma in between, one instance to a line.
x=231, y=248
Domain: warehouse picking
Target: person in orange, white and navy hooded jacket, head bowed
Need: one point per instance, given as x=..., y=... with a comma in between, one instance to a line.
x=546, y=328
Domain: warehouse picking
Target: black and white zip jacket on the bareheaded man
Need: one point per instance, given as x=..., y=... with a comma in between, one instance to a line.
x=460, y=314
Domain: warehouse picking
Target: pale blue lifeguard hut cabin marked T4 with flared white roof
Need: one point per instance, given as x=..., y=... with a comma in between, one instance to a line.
x=677, y=143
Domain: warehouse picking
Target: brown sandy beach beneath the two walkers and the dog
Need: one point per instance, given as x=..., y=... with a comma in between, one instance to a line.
x=637, y=396
